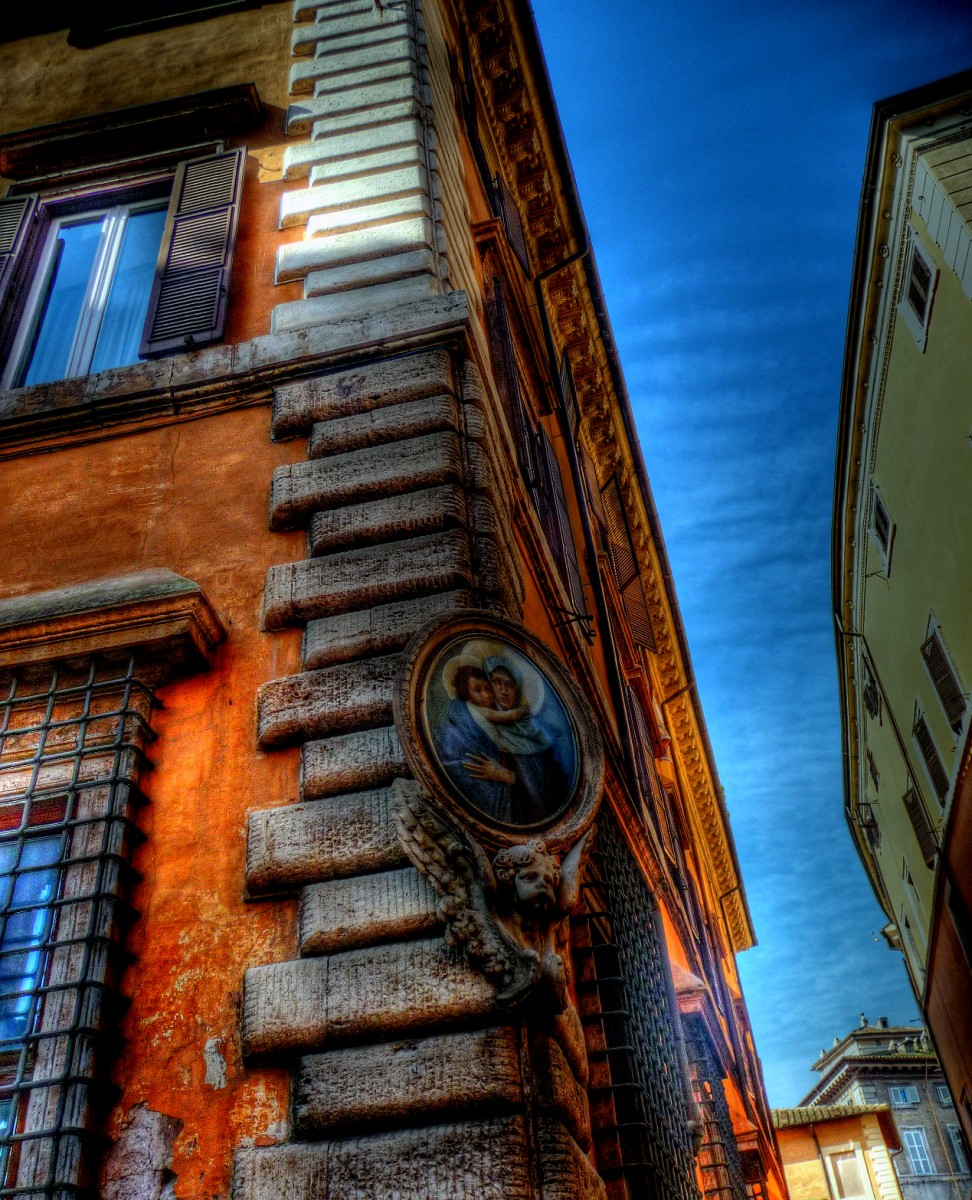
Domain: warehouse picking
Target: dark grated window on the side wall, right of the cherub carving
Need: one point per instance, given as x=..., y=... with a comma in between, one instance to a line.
x=643, y=1144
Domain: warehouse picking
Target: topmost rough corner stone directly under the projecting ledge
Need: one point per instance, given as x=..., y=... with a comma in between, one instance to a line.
x=361, y=389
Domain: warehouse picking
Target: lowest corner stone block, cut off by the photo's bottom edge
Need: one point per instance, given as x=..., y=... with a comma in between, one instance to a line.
x=473, y=1161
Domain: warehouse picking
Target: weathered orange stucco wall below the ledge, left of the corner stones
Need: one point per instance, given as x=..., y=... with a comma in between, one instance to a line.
x=191, y=497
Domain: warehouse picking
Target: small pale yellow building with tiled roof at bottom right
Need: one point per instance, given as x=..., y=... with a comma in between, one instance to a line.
x=839, y=1151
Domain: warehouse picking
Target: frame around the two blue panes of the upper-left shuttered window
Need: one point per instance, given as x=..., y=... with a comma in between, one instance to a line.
x=56, y=215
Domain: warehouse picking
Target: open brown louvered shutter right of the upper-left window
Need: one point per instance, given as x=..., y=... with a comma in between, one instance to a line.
x=188, y=305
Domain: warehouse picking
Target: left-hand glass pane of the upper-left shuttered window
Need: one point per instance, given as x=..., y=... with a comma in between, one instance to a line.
x=62, y=305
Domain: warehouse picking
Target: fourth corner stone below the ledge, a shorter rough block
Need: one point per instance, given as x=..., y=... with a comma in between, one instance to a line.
x=385, y=521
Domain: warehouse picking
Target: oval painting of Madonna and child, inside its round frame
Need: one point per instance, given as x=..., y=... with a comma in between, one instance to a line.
x=501, y=733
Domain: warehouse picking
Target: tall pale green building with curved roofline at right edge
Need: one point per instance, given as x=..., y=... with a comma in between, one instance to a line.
x=903, y=551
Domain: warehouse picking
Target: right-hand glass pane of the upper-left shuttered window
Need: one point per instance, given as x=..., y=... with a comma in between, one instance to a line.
x=129, y=298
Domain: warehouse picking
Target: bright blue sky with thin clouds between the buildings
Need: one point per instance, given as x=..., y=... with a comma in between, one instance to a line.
x=719, y=151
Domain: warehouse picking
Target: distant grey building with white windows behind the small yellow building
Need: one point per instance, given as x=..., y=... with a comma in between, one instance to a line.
x=895, y=1066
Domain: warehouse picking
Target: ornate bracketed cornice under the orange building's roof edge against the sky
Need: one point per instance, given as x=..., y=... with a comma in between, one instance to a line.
x=514, y=97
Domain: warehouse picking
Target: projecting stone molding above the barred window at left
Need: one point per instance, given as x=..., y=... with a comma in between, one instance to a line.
x=158, y=613
